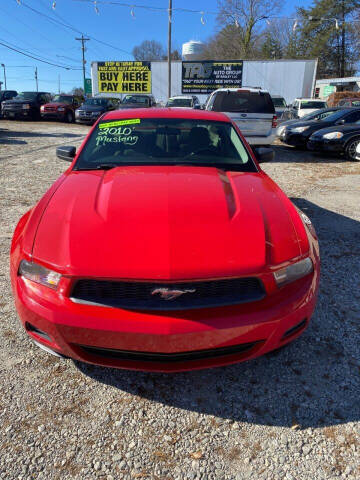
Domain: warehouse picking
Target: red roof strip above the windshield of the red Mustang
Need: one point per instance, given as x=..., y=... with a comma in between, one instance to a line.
x=166, y=113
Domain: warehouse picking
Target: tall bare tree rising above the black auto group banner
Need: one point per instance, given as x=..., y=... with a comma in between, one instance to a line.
x=246, y=15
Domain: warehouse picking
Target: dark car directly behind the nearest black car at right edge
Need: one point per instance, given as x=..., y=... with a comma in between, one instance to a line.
x=299, y=133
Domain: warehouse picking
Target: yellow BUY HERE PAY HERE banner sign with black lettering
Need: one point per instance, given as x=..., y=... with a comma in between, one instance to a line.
x=124, y=77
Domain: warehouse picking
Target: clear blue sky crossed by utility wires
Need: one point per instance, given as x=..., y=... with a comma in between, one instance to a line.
x=36, y=34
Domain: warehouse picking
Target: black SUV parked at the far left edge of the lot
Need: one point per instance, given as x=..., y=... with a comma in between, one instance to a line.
x=25, y=105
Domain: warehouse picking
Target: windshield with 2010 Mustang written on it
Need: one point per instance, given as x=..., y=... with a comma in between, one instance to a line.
x=164, y=141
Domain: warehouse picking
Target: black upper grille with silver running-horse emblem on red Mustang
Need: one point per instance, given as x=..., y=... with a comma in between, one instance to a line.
x=168, y=296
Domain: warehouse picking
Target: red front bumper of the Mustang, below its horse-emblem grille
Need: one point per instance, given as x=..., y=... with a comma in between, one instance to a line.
x=164, y=341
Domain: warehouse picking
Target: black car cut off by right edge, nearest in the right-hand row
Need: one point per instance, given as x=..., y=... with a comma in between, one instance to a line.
x=341, y=139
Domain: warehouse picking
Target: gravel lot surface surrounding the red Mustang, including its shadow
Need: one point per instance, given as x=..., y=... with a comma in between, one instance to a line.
x=290, y=415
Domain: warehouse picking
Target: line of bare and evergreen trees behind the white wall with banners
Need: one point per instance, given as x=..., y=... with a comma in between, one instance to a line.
x=248, y=29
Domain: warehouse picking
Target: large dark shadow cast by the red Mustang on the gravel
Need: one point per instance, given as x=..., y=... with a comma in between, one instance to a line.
x=314, y=382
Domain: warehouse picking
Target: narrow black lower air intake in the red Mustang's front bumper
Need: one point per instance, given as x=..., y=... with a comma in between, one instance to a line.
x=194, y=355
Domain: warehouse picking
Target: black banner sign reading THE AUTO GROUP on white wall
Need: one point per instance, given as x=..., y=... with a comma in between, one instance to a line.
x=207, y=75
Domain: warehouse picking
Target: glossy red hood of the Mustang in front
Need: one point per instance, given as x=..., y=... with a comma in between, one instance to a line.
x=167, y=223
